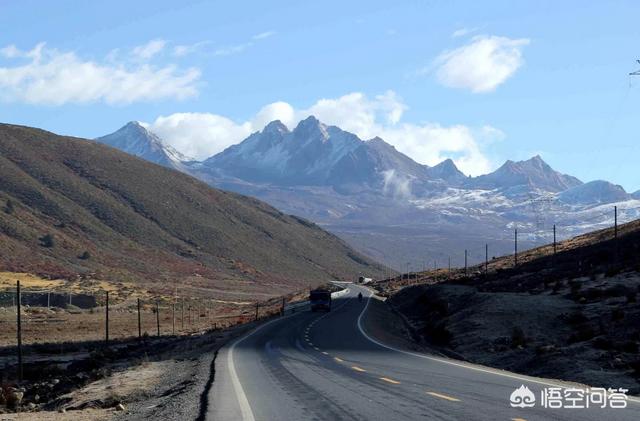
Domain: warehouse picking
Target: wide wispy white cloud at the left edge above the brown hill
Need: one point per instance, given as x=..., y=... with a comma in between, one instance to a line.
x=52, y=77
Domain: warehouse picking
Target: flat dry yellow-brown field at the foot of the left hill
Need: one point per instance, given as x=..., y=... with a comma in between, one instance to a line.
x=51, y=316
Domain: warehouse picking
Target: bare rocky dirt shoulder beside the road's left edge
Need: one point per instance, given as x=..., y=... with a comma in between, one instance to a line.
x=157, y=378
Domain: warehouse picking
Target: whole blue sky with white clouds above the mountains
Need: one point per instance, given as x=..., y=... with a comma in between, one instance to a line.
x=481, y=83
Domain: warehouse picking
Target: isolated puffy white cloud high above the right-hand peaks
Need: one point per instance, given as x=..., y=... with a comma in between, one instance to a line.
x=481, y=65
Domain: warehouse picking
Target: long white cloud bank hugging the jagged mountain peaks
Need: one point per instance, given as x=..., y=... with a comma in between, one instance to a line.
x=202, y=134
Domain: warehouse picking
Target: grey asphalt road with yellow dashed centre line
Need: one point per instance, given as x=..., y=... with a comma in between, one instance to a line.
x=325, y=366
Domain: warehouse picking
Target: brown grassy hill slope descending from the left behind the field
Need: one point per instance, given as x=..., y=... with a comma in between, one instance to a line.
x=140, y=221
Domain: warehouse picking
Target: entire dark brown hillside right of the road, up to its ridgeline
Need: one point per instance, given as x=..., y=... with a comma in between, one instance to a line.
x=573, y=316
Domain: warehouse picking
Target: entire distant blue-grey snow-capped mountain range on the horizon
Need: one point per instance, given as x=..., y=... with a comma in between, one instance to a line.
x=389, y=206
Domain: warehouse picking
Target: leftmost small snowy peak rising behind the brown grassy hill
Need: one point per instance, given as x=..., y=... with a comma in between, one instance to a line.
x=134, y=139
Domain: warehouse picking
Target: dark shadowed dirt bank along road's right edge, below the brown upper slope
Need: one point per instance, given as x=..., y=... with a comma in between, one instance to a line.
x=584, y=329
